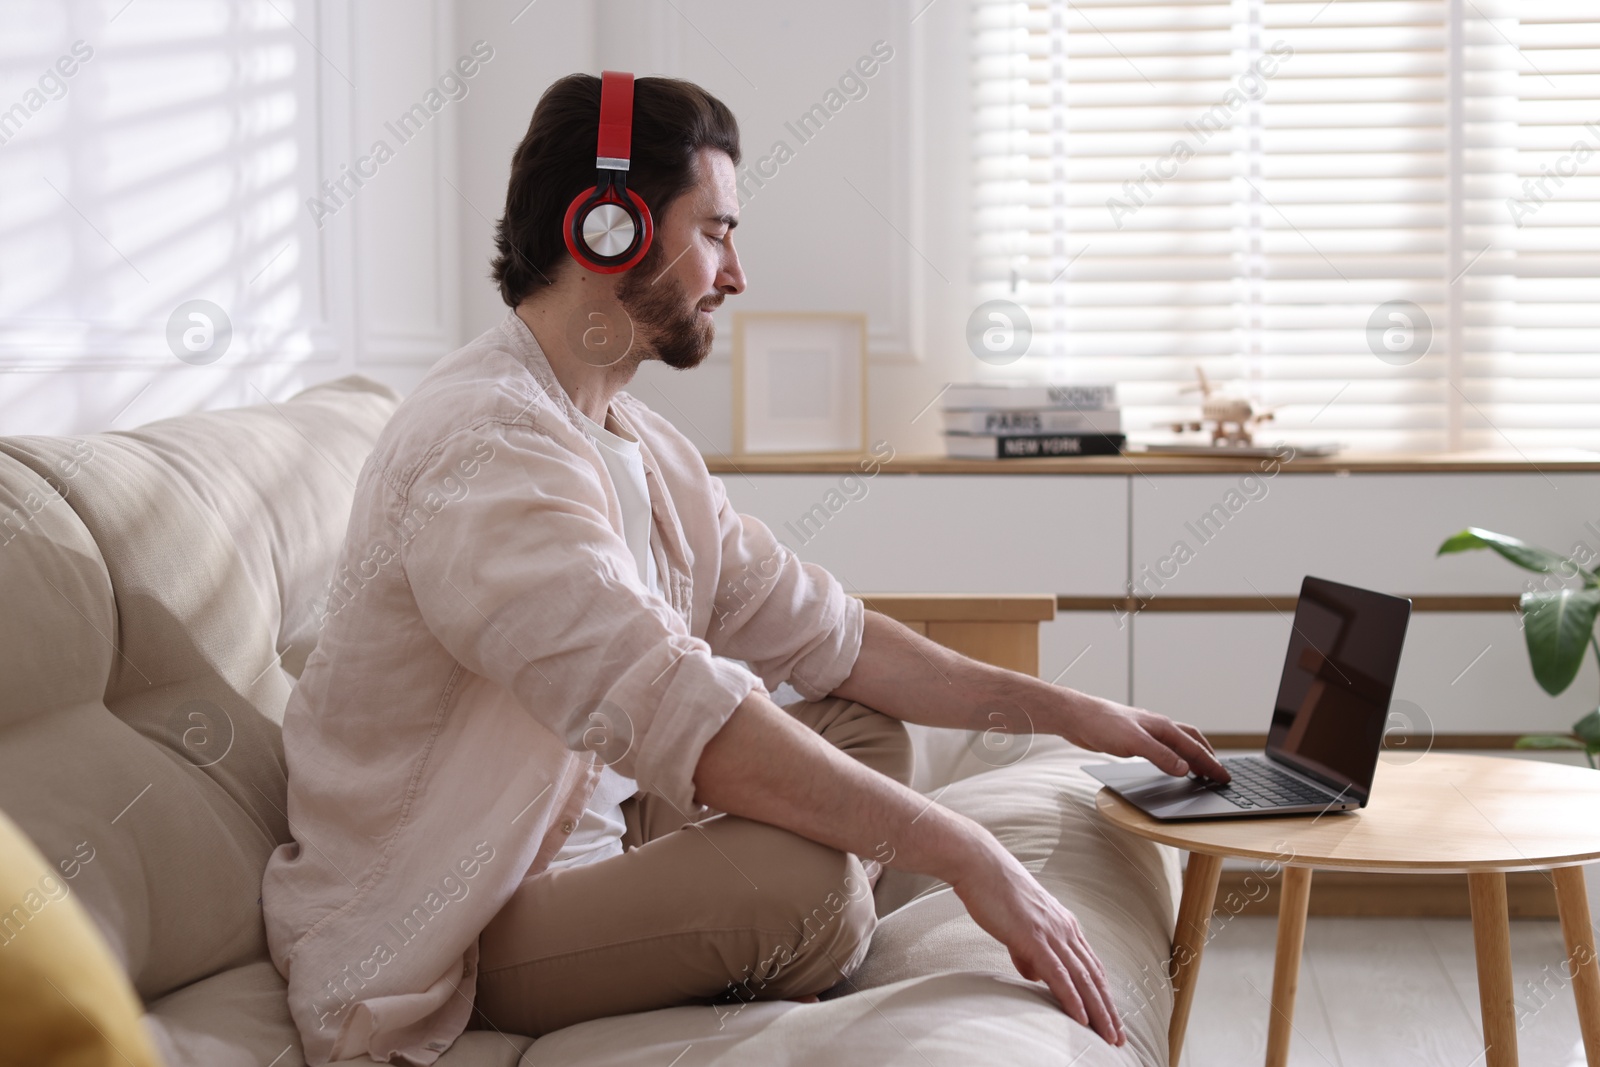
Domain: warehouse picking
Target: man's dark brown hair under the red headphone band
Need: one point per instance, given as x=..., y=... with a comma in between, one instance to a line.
x=556, y=162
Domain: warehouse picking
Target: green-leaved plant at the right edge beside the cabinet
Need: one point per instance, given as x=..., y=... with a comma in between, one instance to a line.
x=1559, y=625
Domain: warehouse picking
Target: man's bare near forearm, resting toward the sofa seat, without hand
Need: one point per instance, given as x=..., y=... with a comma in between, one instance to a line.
x=767, y=767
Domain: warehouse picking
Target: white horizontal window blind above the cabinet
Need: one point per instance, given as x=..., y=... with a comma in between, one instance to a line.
x=1252, y=188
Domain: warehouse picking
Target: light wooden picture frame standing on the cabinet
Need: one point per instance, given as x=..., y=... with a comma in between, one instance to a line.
x=799, y=383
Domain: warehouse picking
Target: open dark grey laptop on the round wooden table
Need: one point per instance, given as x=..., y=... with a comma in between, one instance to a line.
x=1327, y=725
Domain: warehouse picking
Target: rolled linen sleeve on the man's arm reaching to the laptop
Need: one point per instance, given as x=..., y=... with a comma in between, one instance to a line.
x=788, y=620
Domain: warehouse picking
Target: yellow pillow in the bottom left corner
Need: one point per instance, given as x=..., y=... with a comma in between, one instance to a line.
x=65, y=1001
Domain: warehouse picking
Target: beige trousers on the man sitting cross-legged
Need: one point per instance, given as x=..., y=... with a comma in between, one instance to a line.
x=722, y=911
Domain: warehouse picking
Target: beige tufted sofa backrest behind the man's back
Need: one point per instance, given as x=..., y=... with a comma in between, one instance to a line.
x=194, y=553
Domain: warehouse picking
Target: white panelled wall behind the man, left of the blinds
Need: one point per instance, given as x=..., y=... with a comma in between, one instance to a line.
x=180, y=159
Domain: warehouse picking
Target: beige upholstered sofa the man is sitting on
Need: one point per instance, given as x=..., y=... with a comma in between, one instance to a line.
x=161, y=594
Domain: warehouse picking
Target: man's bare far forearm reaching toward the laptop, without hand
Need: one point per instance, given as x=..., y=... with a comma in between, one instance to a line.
x=903, y=674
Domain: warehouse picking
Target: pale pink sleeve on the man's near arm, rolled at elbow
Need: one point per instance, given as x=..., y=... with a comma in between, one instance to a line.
x=524, y=581
